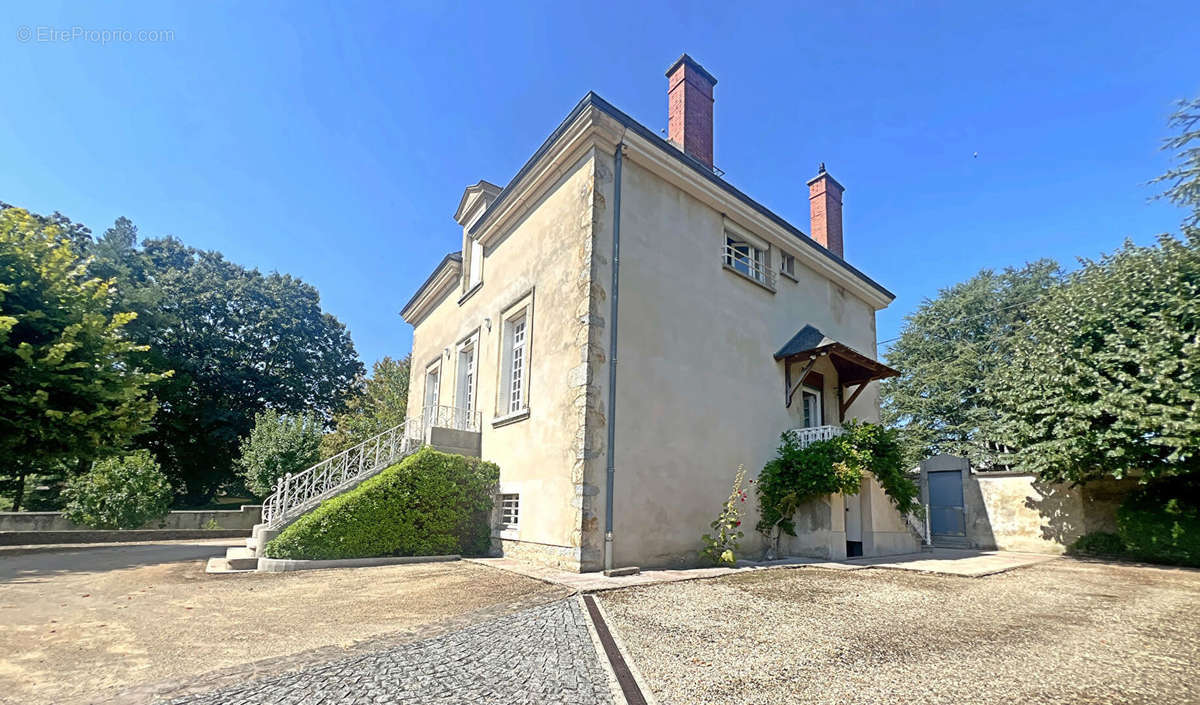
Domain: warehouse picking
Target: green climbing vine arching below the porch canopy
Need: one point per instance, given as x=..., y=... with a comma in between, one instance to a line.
x=800, y=475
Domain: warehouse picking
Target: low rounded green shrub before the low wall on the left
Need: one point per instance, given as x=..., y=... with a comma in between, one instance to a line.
x=119, y=493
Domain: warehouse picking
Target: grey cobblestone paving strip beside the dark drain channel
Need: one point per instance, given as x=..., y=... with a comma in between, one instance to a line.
x=537, y=656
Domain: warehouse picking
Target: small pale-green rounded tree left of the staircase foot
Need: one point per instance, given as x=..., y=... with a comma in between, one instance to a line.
x=277, y=447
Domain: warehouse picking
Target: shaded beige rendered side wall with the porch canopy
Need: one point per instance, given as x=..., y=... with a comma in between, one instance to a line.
x=699, y=390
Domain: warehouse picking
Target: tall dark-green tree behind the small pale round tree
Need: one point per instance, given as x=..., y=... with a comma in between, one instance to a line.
x=241, y=342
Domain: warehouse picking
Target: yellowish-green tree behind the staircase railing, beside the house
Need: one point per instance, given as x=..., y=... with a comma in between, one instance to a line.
x=381, y=403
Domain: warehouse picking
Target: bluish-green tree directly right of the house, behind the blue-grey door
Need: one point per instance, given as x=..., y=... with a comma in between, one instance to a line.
x=947, y=354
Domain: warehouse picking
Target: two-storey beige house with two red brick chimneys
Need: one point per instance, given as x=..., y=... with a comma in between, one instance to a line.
x=621, y=329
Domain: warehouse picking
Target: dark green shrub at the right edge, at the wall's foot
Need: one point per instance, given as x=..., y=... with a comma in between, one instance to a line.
x=1161, y=522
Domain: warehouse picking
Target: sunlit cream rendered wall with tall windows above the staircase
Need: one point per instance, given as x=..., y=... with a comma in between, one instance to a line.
x=548, y=257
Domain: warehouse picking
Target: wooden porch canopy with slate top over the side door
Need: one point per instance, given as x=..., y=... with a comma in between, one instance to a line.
x=855, y=370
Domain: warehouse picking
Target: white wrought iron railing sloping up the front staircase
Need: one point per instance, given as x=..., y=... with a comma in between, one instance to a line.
x=296, y=495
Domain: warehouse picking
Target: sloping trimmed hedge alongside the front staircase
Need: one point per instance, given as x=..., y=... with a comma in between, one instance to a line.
x=429, y=504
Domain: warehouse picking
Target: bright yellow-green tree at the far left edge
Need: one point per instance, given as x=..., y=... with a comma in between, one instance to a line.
x=70, y=385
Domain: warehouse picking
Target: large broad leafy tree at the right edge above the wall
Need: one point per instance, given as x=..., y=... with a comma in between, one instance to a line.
x=1106, y=372
